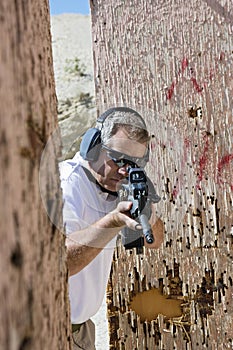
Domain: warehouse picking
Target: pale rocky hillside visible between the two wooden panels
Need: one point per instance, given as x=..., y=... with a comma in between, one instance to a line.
x=73, y=68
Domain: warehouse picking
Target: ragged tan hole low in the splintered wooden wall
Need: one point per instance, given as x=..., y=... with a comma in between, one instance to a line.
x=149, y=304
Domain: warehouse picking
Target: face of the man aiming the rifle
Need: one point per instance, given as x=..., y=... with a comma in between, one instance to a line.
x=108, y=174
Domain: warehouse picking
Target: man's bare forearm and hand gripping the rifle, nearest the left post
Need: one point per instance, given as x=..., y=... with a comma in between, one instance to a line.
x=84, y=245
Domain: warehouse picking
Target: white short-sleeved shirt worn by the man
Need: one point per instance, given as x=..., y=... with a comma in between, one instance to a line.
x=85, y=203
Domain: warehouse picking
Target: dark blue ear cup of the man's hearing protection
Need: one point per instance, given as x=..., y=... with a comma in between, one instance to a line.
x=90, y=144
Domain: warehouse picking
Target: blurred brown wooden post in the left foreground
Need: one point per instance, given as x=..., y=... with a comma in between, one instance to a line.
x=33, y=289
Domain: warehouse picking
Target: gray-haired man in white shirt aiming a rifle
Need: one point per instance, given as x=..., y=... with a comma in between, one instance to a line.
x=93, y=215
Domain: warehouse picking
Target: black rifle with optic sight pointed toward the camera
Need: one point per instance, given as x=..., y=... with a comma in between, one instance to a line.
x=141, y=192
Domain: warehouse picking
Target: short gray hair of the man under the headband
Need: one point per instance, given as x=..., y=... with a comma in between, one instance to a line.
x=134, y=126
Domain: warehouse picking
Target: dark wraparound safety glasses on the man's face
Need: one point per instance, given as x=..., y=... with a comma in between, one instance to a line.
x=121, y=159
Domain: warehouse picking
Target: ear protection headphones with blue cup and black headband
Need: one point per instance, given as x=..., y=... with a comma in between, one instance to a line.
x=91, y=140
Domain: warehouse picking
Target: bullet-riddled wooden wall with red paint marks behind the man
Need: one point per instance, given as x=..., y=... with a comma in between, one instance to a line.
x=172, y=61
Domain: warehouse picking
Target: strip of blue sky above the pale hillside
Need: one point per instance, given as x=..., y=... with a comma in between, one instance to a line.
x=69, y=6
